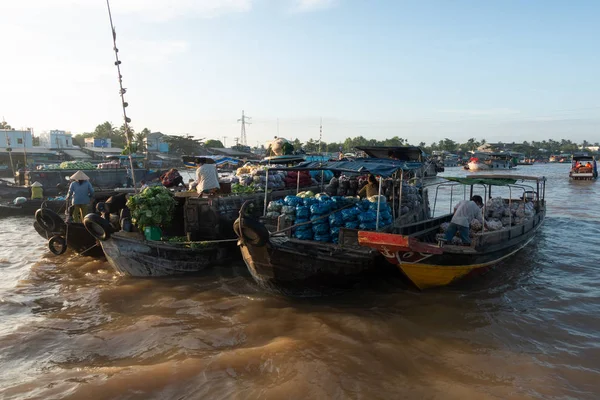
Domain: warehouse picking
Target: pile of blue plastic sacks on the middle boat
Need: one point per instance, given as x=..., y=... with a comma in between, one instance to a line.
x=320, y=224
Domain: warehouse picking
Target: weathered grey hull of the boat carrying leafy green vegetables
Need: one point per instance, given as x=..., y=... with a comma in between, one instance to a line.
x=129, y=254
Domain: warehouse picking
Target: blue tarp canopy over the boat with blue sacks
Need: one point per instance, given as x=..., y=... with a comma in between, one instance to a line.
x=381, y=167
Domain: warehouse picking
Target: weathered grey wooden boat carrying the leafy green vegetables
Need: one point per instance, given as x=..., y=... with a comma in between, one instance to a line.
x=208, y=225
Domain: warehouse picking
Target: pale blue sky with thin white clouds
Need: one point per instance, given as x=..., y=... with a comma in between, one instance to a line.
x=421, y=70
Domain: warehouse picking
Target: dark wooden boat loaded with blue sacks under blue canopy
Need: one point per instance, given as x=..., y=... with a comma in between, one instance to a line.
x=298, y=267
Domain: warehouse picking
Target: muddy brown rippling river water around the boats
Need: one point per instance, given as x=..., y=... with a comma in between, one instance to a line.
x=72, y=329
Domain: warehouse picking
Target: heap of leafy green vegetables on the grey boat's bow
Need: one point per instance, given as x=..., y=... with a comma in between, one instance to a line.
x=154, y=206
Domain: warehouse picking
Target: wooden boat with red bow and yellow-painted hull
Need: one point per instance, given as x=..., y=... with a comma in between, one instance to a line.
x=415, y=250
